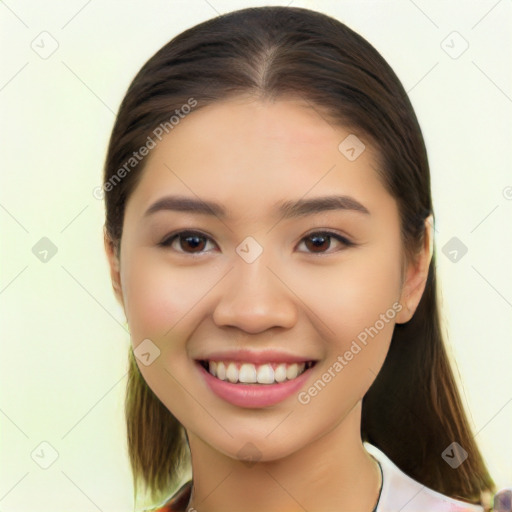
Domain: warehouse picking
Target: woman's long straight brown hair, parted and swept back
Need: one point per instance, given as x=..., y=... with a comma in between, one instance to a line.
x=413, y=410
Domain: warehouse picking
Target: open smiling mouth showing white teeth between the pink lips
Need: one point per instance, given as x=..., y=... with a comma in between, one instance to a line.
x=238, y=372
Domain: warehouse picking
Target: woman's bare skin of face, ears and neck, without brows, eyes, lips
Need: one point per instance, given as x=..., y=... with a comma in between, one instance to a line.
x=247, y=155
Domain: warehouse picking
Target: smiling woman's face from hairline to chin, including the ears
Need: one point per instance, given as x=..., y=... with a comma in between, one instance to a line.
x=308, y=283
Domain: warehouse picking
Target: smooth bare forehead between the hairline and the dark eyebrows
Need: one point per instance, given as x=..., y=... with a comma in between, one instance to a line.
x=243, y=151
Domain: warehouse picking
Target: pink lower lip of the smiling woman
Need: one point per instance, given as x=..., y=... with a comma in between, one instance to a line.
x=253, y=395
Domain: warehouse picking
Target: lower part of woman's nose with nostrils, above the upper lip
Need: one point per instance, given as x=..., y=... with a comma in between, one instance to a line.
x=255, y=298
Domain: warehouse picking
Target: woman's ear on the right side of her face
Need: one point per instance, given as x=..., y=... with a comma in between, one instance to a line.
x=416, y=275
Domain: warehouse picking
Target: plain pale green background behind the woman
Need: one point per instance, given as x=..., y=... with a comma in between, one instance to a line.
x=64, y=341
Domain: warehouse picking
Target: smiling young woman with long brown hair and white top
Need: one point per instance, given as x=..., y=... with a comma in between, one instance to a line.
x=269, y=229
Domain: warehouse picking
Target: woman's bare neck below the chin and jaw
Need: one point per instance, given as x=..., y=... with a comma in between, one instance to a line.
x=333, y=472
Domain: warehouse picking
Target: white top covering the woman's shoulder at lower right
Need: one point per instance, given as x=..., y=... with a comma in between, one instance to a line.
x=401, y=492
